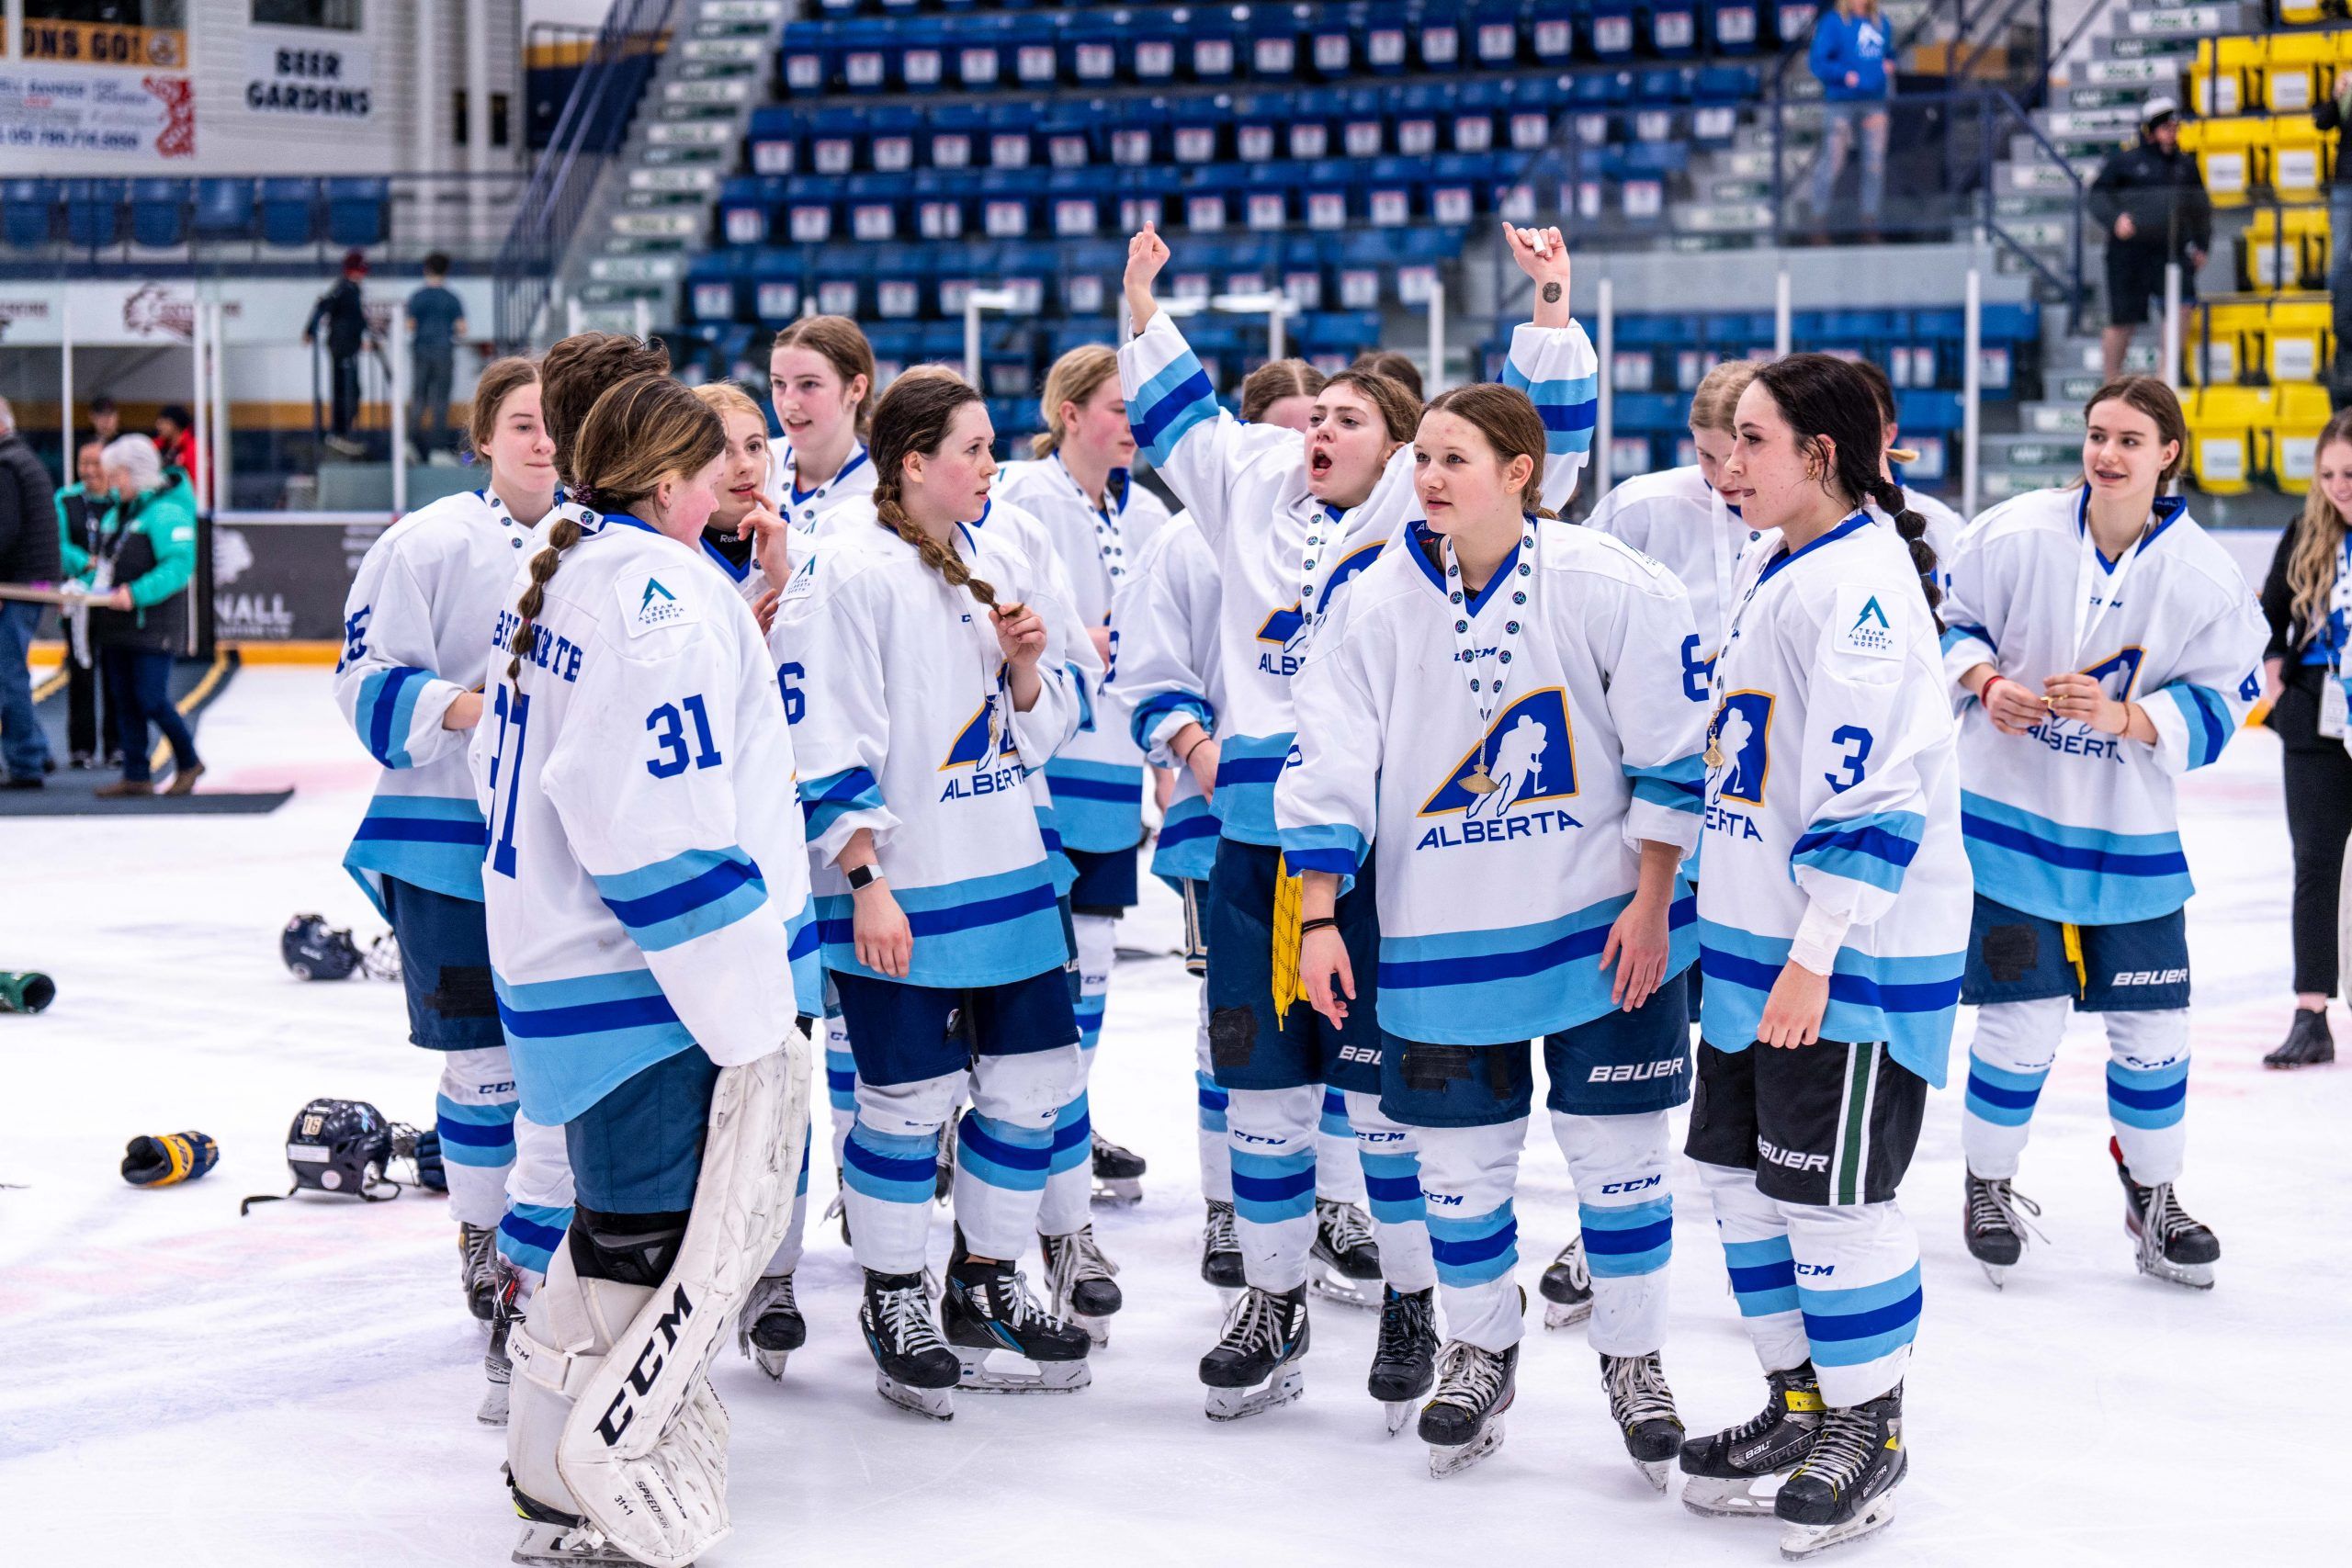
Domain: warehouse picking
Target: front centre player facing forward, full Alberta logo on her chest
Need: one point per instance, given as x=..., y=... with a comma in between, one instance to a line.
x=1497, y=718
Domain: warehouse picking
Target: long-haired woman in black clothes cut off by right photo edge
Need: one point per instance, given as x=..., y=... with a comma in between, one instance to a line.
x=2306, y=598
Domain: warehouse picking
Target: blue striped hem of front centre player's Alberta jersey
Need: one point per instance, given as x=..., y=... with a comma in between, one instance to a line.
x=1476, y=989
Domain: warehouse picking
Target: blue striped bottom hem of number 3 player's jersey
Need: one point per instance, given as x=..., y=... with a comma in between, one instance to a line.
x=1904, y=1000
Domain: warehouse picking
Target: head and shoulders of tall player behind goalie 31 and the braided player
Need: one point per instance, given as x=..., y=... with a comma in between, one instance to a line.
x=822, y=384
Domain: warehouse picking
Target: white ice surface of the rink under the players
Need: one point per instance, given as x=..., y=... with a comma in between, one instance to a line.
x=298, y=1388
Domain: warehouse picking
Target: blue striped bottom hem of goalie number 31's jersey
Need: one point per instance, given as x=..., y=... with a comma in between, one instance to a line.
x=580, y=1040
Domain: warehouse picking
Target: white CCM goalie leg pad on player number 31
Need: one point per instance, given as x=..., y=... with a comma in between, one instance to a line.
x=646, y=1447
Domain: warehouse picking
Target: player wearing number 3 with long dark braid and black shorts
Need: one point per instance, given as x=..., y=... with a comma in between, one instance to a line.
x=1831, y=918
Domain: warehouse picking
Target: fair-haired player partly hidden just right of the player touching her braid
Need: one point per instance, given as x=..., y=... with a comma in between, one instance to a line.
x=1100, y=521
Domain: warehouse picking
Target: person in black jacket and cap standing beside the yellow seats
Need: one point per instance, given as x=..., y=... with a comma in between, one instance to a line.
x=2153, y=208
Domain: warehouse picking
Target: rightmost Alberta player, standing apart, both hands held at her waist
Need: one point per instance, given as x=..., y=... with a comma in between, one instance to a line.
x=2087, y=704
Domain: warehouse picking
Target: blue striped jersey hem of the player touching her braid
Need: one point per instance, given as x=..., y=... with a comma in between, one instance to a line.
x=973, y=932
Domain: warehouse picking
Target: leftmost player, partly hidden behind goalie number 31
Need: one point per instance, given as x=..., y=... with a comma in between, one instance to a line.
x=410, y=683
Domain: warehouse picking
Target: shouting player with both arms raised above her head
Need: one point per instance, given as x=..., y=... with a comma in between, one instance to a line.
x=1290, y=523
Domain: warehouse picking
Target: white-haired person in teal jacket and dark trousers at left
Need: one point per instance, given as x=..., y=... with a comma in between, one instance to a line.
x=145, y=558
